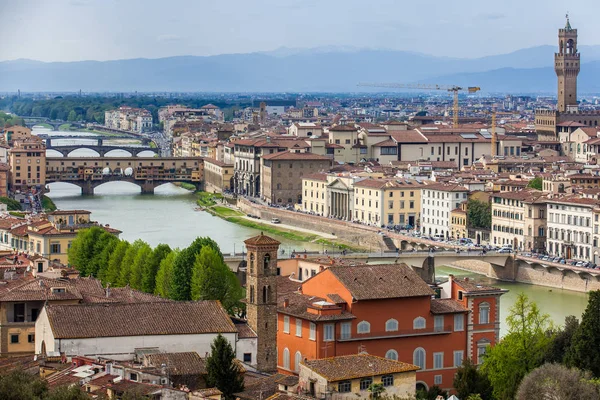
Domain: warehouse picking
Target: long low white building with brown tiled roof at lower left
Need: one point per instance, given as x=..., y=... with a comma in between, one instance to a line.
x=117, y=330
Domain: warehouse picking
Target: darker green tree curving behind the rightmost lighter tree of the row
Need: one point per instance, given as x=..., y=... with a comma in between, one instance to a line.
x=183, y=267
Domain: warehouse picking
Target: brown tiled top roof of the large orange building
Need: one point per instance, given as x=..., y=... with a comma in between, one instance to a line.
x=386, y=281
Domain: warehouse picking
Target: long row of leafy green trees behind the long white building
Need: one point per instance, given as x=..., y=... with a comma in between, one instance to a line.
x=197, y=272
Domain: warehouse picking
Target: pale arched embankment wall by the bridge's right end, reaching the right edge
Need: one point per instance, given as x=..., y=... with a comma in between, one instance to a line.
x=525, y=273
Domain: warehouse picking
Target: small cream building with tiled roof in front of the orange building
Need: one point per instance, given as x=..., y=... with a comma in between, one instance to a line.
x=350, y=377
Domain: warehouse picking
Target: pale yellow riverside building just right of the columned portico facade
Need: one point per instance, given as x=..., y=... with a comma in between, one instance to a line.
x=383, y=202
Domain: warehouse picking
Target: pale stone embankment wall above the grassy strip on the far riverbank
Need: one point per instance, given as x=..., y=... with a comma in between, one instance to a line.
x=352, y=234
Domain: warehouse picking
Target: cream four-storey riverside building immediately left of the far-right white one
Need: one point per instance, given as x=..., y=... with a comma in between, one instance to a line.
x=519, y=220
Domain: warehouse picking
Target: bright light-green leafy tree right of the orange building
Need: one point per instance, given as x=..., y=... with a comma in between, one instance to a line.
x=521, y=351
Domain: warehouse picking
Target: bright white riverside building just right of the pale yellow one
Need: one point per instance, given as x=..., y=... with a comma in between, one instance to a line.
x=437, y=202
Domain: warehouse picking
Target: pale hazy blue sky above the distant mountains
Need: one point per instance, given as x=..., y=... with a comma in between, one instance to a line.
x=66, y=30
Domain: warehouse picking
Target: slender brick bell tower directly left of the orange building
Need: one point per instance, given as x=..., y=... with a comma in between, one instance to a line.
x=261, y=298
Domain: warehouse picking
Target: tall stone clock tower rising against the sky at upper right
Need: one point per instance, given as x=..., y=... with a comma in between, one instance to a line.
x=566, y=66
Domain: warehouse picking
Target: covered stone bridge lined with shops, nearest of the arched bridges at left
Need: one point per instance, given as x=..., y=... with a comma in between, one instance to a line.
x=146, y=172
